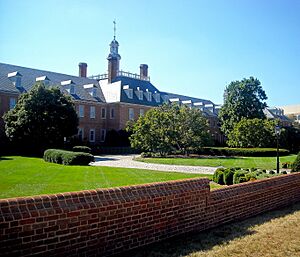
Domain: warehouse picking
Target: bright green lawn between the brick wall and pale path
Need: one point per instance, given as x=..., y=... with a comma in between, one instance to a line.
x=23, y=176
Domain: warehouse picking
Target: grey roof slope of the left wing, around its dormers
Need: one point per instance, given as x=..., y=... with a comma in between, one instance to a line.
x=29, y=79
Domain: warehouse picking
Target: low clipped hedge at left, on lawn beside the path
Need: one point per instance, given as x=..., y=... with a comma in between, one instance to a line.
x=67, y=157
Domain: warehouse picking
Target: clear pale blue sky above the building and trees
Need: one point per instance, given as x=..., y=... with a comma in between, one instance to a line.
x=192, y=47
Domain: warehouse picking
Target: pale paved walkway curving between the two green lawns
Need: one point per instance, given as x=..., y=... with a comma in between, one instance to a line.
x=126, y=161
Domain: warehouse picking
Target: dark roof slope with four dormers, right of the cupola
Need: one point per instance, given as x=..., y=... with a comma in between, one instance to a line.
x=143, y=85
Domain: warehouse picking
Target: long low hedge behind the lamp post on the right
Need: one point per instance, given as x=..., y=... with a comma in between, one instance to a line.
x=226, y=151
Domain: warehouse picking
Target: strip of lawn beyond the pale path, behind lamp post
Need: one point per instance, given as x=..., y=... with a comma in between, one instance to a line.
x=267, y=163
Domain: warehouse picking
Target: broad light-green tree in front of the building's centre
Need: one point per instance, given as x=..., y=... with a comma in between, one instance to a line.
x=169, y=128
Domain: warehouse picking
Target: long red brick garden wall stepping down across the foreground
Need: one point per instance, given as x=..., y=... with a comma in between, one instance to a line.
x=109, y=221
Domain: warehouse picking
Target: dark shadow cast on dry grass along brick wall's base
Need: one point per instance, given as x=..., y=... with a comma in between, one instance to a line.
x=192, y=242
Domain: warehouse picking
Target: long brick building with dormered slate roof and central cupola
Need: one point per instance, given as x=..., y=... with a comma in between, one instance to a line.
x=103, y=102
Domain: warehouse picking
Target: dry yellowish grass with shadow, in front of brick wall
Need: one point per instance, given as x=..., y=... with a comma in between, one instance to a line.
x=273, y=234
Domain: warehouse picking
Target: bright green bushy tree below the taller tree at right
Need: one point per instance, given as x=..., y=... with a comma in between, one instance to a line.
x=252, y=133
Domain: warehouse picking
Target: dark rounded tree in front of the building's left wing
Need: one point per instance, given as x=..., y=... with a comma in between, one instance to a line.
x=41, y=119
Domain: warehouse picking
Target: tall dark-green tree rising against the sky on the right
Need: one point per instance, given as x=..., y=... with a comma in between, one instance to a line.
x=242, y=99
